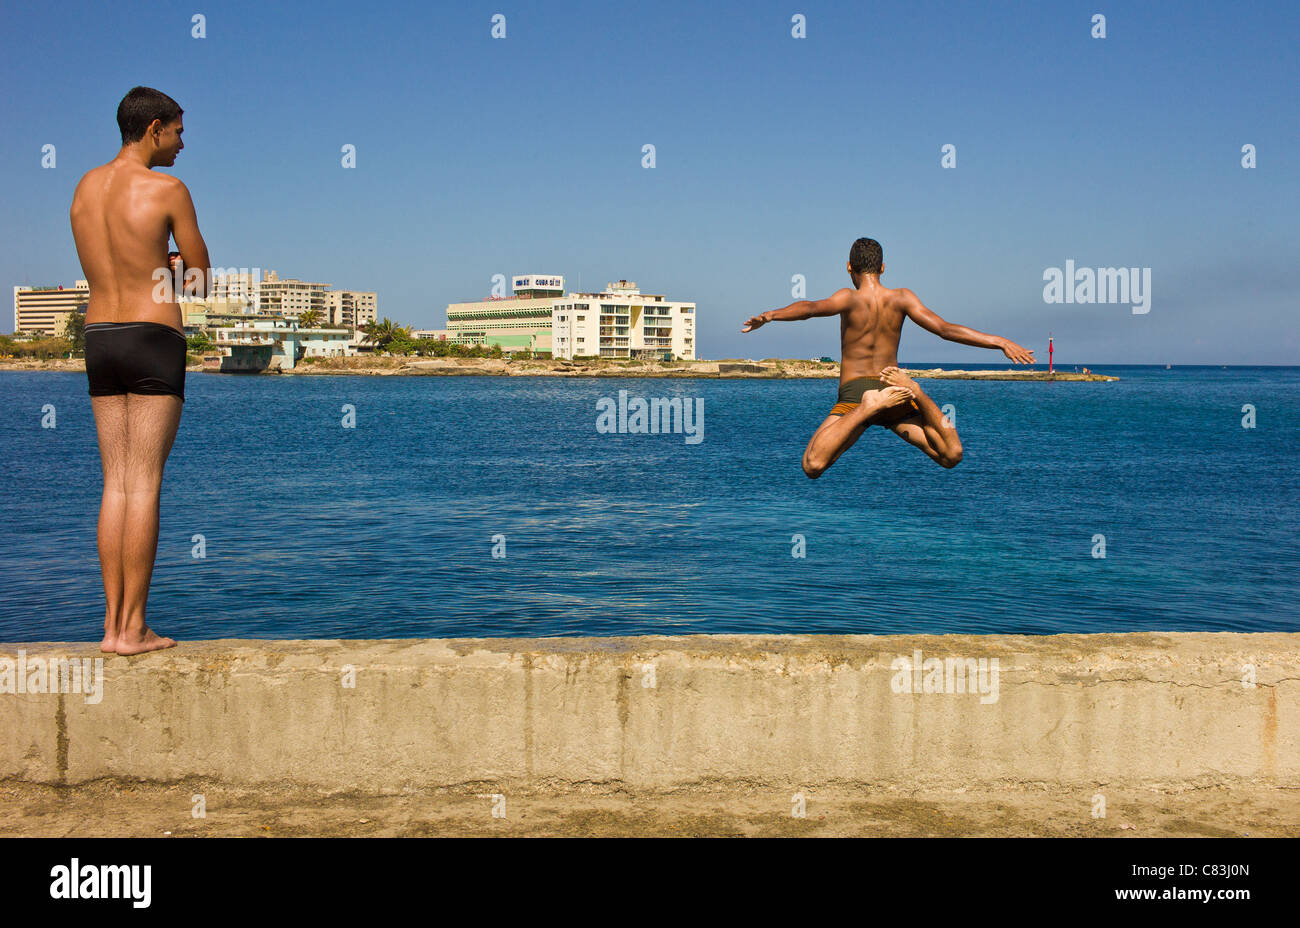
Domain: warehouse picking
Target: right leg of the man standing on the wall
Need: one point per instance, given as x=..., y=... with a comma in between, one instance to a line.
x=153, y=422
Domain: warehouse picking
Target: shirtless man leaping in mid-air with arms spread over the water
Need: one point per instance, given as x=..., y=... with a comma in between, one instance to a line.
x=873, y=389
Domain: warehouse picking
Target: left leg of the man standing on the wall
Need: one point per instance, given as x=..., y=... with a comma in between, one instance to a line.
x=111, y=431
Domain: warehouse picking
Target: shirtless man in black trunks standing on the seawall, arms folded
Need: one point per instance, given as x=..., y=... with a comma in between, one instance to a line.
x=123, y=216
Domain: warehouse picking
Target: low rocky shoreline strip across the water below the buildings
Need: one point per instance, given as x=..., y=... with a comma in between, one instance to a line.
x=491, y=367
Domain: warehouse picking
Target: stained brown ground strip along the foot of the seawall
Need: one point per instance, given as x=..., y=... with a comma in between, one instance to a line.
x=133, y=809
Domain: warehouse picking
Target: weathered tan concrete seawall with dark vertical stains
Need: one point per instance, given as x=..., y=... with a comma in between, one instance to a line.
x=658, y=713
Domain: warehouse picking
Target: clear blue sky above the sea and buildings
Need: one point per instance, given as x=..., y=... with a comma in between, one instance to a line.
x=479, y=157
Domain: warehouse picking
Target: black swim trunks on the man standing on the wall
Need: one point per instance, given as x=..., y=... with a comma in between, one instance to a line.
x=144, y=358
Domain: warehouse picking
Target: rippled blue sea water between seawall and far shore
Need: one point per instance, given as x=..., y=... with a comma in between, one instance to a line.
x=387, y=530
